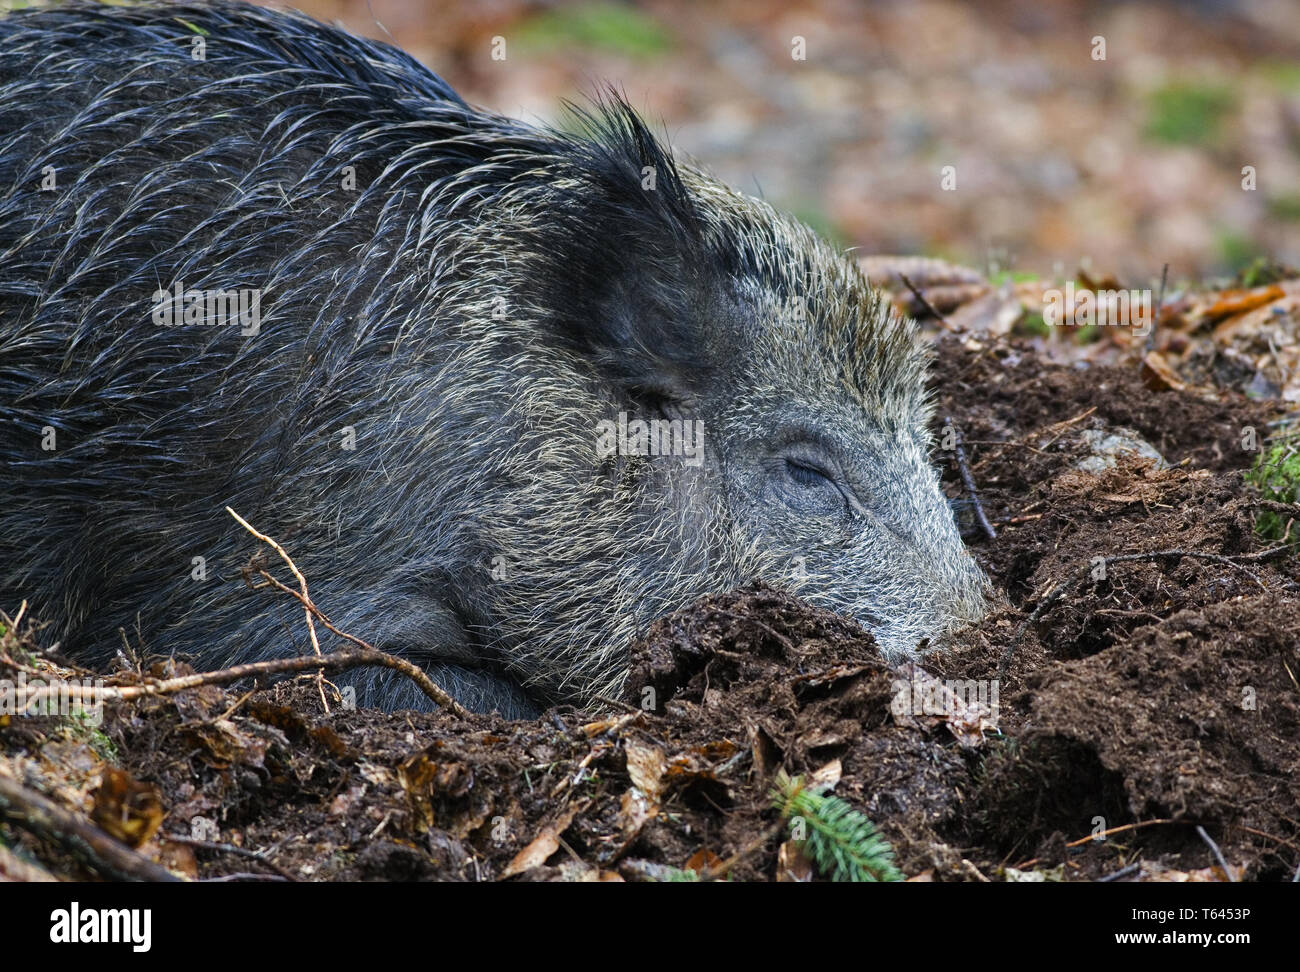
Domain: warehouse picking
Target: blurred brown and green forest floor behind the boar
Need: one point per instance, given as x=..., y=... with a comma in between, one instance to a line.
x=1063, y=160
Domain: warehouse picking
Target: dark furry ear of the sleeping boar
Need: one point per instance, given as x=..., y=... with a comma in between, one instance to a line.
x=634, y=261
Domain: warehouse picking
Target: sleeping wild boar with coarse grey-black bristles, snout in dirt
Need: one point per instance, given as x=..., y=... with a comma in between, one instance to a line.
x=440, y=309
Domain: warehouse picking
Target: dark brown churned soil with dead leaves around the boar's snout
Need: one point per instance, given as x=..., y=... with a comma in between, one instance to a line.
x=1154, y=698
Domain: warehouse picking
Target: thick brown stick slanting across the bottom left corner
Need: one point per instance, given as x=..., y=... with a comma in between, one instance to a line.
x=31, y=812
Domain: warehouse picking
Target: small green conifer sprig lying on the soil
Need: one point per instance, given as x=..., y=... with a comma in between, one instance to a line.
x=842, y=843
